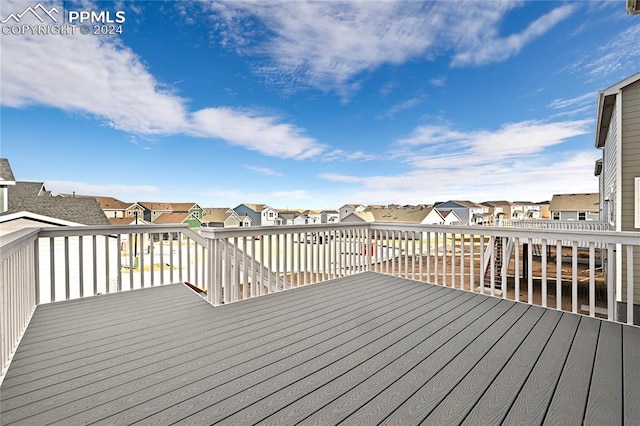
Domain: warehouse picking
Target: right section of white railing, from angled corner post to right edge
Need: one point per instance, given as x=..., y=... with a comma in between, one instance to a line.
x=580, y=271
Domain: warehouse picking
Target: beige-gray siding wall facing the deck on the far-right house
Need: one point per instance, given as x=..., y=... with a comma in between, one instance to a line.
x=630, y=145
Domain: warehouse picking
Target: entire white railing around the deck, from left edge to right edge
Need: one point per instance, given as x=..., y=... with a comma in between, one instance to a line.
x=580, y=271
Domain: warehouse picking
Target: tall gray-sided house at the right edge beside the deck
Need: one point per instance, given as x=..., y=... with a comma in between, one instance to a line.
x=618, y=136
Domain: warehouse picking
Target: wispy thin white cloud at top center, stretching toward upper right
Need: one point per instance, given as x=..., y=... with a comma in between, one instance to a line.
x=328, y=44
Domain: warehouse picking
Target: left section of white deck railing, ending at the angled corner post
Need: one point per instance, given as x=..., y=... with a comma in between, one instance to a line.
x=41, y=265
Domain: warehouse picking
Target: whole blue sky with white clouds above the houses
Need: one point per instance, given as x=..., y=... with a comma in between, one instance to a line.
x=316, y=104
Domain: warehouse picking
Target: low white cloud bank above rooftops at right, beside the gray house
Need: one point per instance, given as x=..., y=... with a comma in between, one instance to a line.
x=517, y=161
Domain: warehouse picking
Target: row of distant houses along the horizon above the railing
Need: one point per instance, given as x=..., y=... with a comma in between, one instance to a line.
x=30, y=204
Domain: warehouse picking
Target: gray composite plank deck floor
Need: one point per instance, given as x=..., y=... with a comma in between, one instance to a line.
x=367, y=349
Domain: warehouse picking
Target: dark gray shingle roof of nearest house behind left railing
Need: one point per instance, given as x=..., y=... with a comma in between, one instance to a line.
x=24, y=197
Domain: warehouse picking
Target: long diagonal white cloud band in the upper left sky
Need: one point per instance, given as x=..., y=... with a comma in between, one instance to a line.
x=101, y=77
